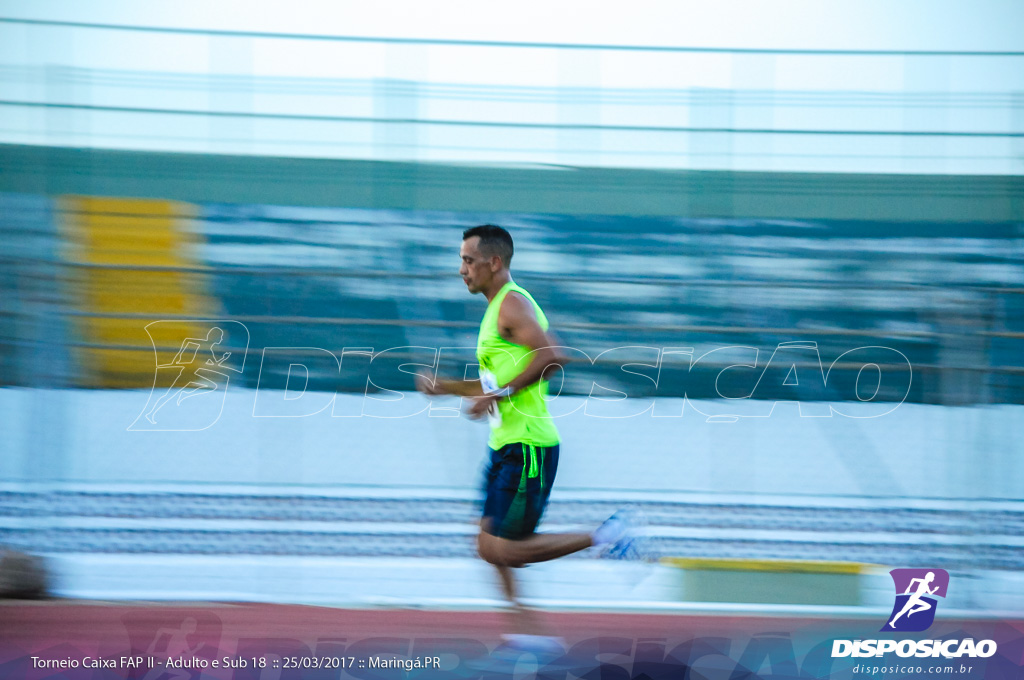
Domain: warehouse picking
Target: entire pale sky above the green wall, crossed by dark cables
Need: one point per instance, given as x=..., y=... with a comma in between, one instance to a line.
x=698, y=101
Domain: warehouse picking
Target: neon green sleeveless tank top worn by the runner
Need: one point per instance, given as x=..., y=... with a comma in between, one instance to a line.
x=525, y=416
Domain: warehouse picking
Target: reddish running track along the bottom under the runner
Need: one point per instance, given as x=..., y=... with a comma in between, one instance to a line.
x=624, y=646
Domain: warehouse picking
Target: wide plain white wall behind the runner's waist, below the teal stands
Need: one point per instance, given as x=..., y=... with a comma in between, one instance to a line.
x=917, y=451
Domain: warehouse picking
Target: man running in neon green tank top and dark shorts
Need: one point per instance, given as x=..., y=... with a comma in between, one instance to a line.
x=517, y=354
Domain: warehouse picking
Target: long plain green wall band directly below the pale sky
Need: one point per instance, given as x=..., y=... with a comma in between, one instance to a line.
x=540, y=190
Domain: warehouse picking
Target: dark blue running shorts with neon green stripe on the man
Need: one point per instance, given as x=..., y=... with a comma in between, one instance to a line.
x=518, y=484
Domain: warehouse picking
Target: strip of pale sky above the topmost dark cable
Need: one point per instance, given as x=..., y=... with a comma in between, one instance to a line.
x=920, y=25
